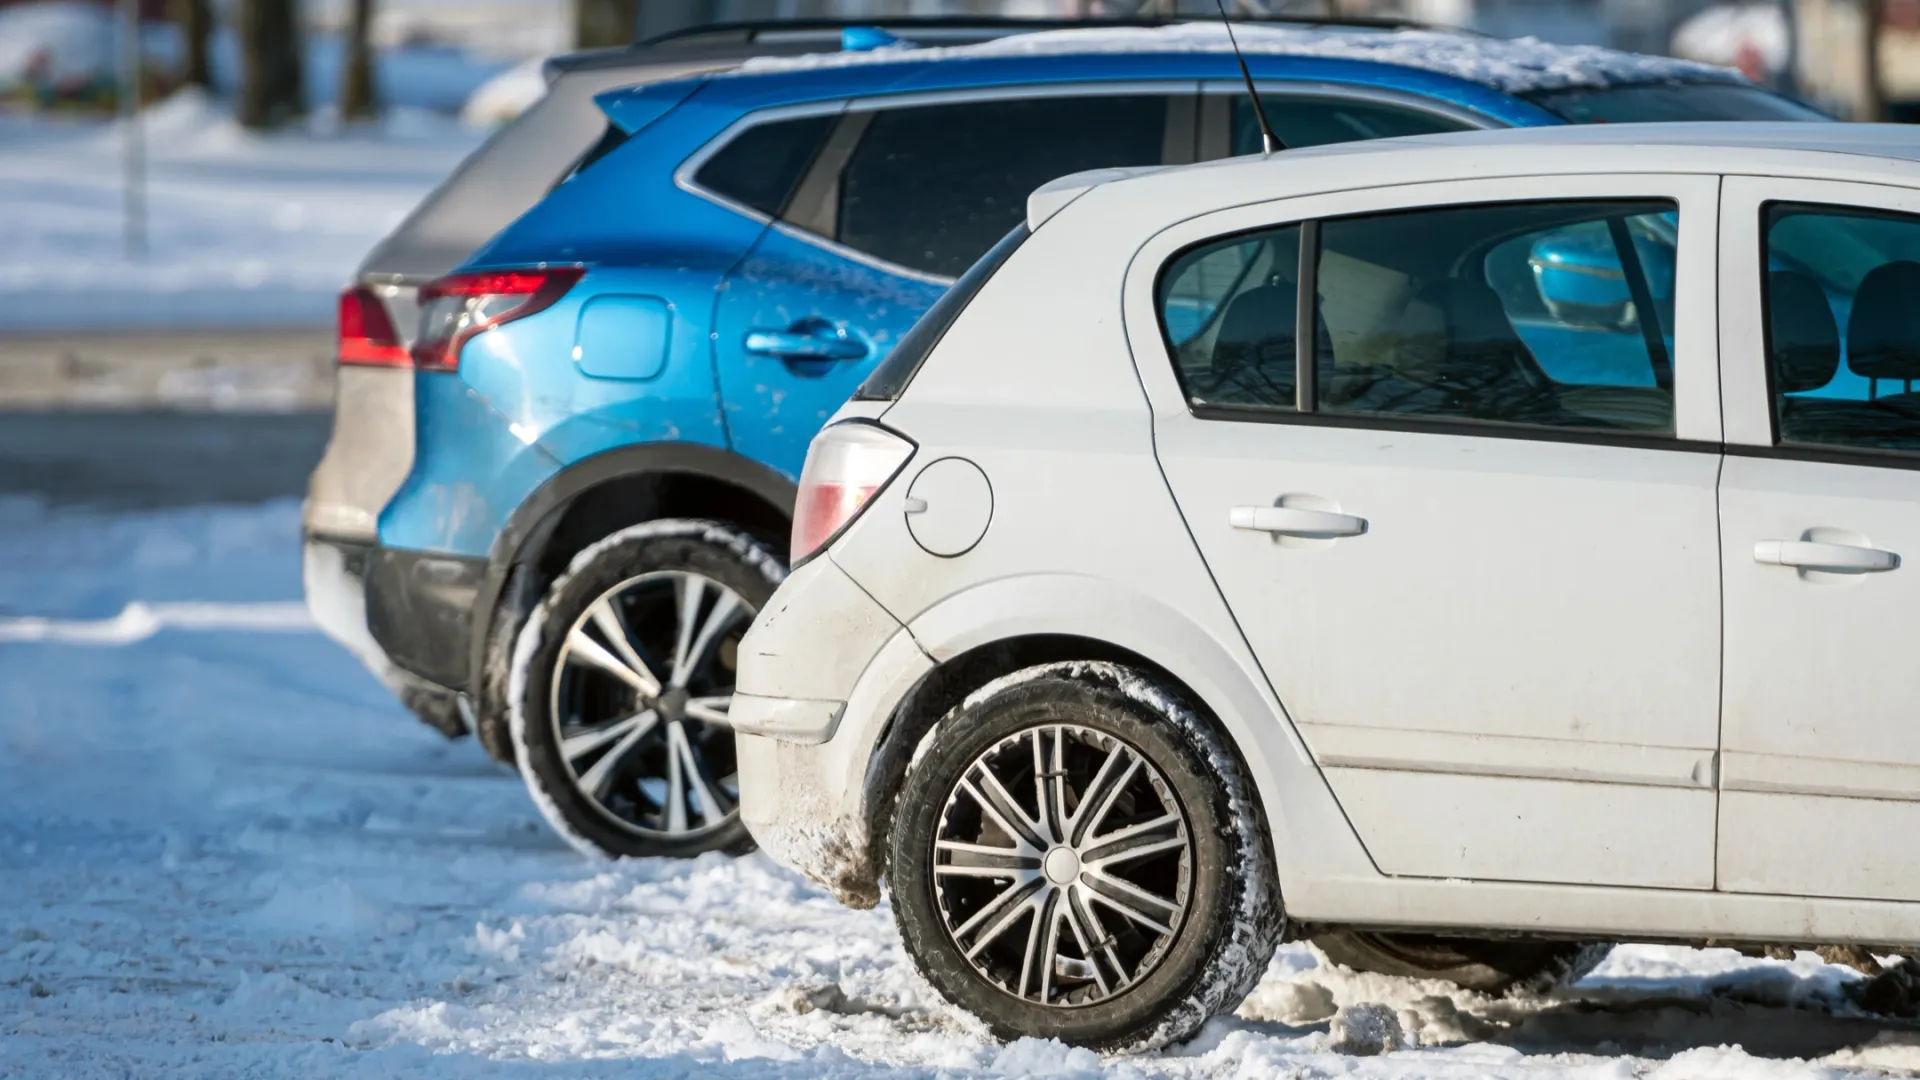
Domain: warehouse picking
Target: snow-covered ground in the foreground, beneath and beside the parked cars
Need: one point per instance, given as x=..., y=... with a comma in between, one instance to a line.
x=224, y=852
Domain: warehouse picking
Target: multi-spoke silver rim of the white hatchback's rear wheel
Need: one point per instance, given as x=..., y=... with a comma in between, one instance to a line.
x=1063, y=866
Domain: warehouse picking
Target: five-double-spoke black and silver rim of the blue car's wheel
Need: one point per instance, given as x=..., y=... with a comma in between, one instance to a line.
x=640, y=704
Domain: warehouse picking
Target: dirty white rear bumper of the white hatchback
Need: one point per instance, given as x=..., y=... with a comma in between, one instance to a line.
x=807, y=724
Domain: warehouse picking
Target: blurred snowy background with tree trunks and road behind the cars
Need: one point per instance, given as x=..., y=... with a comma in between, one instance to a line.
x=170, y=274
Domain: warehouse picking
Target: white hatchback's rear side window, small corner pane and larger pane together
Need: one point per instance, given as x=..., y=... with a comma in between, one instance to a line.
x=1543, y=314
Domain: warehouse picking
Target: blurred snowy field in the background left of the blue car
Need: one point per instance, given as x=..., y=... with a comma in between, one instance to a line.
x=245, y=230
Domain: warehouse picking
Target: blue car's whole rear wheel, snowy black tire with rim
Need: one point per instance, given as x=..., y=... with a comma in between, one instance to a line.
x=719, y=574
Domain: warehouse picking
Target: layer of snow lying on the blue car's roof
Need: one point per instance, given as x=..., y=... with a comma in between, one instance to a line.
x=1514, y=66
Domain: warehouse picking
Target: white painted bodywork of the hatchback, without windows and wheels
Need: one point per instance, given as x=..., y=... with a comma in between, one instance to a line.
x=1677, y=741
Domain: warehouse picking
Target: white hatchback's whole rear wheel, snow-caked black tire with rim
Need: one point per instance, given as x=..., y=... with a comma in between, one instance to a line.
x=1212, y=952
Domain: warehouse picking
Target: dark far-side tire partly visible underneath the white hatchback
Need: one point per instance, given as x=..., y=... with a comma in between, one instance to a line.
x=1476, y=964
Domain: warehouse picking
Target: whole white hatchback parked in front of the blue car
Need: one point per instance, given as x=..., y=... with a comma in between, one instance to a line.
x=1451, y=549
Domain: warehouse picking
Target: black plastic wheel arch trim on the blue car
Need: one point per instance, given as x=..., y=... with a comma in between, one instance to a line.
x=539, y=512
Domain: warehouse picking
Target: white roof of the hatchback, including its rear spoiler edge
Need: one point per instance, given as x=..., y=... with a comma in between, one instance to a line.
x=1873, y=153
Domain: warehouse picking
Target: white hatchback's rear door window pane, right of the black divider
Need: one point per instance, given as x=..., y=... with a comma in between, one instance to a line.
x=1529, y=314
